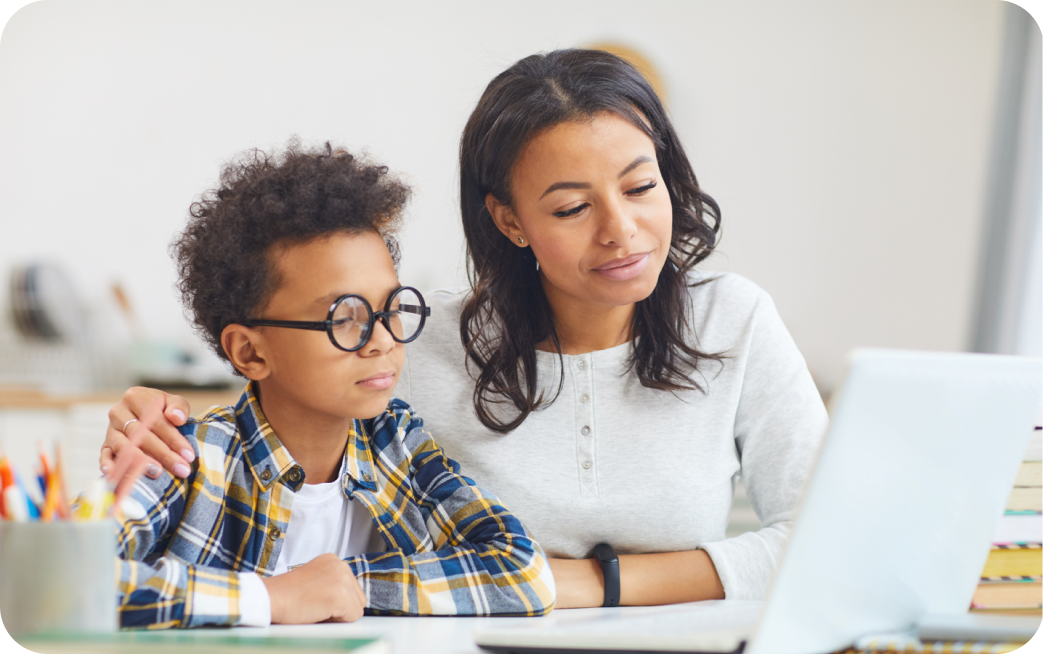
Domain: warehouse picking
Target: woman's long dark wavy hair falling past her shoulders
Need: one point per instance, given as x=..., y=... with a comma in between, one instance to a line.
x=508, y=313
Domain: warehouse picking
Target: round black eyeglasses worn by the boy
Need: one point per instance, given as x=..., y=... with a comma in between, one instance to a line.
x=350, y=322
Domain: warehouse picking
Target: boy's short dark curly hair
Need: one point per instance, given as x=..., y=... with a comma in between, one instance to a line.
x=224, y=269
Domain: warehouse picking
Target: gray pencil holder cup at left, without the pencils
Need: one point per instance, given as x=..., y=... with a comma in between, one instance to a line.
x=58, y=577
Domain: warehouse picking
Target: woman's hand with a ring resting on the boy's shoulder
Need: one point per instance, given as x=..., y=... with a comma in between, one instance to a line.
x=144, y=436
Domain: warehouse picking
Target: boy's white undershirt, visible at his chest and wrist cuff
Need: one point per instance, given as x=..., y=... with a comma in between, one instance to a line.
x=323, y=521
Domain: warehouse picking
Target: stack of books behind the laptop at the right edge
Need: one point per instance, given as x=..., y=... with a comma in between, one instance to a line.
x=1013, y=579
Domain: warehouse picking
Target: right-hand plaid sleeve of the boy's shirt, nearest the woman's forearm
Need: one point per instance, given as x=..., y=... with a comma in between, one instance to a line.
x=459, y=536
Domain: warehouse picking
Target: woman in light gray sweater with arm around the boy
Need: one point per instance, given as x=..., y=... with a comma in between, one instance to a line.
x=601, y=386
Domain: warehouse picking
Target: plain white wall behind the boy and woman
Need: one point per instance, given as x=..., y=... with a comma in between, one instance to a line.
x=846, y=142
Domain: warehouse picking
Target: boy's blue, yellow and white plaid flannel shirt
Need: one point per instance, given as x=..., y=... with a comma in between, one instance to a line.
x=454, y=550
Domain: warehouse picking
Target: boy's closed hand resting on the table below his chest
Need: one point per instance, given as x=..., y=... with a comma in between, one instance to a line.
x=321, y=591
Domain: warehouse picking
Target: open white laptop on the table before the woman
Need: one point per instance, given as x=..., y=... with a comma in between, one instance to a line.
x=894, y=529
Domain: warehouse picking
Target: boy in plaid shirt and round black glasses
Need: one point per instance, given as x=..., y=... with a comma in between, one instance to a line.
x=317, y=465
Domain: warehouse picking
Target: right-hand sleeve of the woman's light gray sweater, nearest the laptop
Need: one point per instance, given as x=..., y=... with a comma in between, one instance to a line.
x=780, y=423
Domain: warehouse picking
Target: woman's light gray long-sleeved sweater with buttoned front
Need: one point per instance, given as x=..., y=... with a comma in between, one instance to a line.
x=644, y=471
